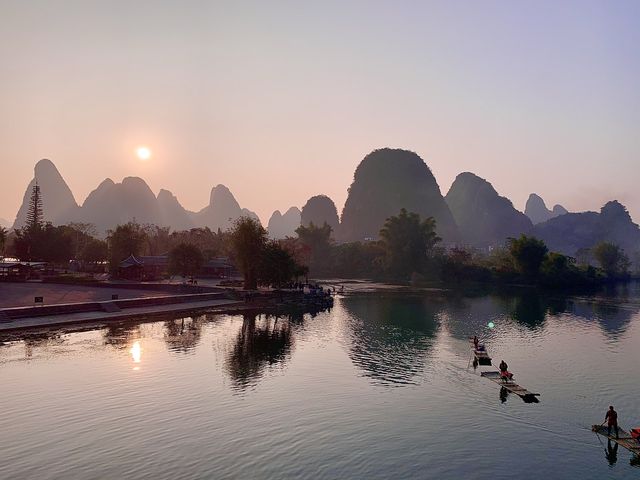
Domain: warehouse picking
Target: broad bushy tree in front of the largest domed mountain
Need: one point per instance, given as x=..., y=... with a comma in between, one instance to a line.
x=407, y=242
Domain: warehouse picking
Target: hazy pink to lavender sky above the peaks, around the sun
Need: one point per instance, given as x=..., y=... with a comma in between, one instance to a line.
x=281, y=100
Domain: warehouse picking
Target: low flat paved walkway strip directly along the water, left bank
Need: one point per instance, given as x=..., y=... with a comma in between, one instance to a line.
x=102, y=316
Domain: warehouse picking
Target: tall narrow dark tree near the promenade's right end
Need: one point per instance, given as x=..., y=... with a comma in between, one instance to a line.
x=248, y=239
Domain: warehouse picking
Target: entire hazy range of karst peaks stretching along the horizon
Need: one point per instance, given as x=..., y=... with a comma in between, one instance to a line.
x=472, y=213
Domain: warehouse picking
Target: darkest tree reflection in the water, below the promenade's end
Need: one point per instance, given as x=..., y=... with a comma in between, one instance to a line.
x=262, y=343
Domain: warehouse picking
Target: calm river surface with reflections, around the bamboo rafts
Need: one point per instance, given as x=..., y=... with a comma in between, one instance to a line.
x=378, y=387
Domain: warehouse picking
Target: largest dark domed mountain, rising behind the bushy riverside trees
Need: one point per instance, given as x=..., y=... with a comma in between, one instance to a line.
x=386, y=181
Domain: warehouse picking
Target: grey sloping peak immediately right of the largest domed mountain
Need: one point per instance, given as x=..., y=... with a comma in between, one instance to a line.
x=483, y=216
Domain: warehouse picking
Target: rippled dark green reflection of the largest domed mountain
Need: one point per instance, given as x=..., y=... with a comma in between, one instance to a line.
x=390, y=336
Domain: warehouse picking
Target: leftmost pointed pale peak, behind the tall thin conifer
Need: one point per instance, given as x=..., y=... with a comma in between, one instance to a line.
x=58, y=204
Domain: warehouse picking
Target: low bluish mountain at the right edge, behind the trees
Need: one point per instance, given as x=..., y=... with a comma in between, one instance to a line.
x=570, y=232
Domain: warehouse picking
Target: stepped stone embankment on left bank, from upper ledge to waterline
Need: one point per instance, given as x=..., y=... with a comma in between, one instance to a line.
x=17, y=318
